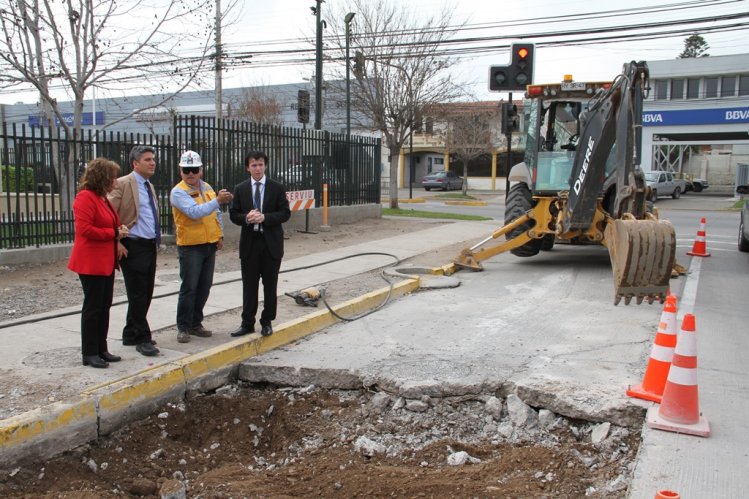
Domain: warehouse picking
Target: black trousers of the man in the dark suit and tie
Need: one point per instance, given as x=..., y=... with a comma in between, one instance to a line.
x=259, y=264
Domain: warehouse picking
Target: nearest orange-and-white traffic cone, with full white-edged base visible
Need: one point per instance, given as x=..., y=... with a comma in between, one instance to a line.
x=680, y=409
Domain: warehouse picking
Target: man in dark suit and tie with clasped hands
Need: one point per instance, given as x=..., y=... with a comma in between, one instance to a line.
x=260, y=206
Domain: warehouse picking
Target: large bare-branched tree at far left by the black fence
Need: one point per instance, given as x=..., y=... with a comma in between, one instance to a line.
x=76, y=45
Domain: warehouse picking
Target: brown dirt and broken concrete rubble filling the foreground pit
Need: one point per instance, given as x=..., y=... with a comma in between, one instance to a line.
x=245, y=441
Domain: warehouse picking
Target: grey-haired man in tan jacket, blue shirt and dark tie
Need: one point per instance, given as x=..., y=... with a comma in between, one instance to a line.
x=134, y=198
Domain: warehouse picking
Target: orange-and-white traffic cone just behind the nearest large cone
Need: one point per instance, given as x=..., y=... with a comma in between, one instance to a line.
x=656, y=373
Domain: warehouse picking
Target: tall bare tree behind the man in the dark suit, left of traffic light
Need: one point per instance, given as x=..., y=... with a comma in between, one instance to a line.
x=402, y=71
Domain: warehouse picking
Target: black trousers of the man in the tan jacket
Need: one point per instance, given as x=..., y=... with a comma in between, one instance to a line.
x=139, y=274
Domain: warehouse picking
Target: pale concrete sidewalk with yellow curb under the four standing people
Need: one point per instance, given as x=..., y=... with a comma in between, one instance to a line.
x=91, y=402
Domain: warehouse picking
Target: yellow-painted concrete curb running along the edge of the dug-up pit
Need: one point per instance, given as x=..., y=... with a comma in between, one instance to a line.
x=100, y=410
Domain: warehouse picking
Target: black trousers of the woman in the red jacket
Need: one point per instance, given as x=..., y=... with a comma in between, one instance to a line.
x=97, y=300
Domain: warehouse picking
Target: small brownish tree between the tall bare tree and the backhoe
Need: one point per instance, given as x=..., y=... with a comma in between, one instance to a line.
x=470, y=132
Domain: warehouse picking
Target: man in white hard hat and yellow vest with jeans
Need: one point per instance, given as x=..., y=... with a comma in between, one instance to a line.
x=200, y=233
